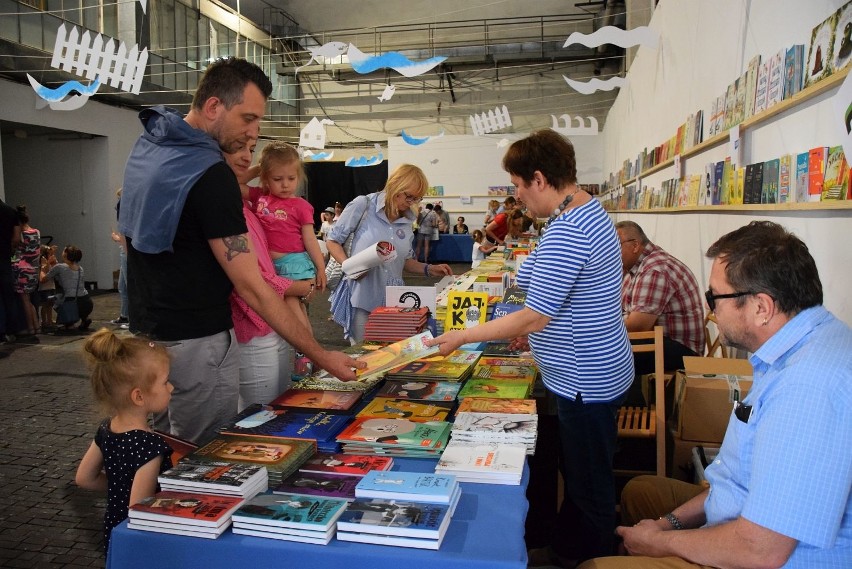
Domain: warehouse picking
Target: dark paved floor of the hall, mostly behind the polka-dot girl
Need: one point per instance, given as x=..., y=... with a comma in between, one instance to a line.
x=47, y=420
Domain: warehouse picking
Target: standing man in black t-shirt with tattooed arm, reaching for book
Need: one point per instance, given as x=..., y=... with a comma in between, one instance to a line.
x=183, y=266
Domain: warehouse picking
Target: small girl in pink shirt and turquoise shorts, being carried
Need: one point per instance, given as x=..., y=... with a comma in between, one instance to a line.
x=287, y=220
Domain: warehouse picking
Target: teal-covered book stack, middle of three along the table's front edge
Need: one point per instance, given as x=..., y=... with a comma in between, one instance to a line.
x=290, y=512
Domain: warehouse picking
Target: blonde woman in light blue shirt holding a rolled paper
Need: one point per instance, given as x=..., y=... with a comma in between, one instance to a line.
x=384, y=215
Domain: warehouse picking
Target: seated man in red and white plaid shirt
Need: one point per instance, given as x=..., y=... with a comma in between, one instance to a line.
x=659, y=290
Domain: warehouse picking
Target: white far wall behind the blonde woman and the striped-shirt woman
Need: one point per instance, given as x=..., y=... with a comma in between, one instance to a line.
x=467, y=165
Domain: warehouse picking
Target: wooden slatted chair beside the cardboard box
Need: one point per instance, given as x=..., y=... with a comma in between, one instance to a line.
x=650, y=421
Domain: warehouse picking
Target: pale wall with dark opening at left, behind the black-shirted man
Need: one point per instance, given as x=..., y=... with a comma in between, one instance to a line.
x=67, y=182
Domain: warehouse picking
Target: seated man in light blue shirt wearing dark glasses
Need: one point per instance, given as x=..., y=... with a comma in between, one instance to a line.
x=781, y=486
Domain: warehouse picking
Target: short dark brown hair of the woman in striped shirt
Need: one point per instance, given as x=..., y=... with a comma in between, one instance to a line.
x=545, y=151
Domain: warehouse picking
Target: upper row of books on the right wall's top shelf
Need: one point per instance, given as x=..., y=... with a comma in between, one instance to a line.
x=767, y=81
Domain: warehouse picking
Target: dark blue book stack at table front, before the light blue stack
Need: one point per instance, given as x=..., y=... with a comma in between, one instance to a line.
x=400, y=518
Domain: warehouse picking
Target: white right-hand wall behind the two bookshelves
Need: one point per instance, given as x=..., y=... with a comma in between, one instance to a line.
x=704, y=46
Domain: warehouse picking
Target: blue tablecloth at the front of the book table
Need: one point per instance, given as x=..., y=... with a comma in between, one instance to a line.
x=486, y=531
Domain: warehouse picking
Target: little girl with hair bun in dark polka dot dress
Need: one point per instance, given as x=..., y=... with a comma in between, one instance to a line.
x=130, y=380
